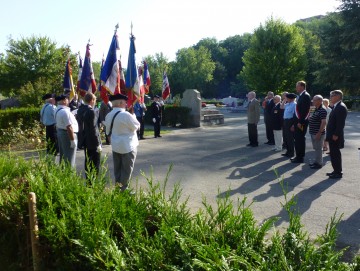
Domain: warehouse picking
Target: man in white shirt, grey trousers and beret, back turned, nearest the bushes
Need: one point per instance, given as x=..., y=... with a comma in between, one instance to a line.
x=121, y=126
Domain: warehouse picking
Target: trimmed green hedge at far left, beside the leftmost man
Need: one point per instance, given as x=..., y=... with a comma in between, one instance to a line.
x=13, y=115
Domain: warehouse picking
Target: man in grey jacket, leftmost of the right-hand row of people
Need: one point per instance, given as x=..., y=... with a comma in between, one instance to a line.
x=253, y=115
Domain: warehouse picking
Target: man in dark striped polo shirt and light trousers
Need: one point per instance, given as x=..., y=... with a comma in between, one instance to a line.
x=317, y=124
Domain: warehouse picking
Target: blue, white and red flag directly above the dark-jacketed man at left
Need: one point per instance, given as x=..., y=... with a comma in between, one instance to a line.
x=87, y=80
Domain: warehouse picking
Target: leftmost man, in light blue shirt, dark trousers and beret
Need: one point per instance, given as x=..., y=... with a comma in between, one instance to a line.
x=47, y=117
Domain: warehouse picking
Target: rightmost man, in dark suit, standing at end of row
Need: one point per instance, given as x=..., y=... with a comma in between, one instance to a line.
x=335, y=132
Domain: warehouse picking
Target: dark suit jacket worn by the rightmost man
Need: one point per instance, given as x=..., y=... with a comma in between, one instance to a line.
x=336, y=123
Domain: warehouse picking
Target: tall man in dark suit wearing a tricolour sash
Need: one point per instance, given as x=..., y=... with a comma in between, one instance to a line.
x=302, y=111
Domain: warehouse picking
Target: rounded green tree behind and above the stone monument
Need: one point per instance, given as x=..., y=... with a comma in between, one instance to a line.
x=193, y=68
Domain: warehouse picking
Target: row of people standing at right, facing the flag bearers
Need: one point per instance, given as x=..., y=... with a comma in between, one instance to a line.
x=288, y=118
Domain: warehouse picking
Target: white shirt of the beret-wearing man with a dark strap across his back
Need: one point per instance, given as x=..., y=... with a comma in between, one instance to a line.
x=123, y=135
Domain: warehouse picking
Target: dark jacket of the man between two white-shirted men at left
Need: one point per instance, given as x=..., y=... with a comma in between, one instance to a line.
x=91, y=133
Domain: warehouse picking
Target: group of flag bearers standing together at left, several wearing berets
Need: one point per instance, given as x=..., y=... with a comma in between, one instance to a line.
x=67, y=132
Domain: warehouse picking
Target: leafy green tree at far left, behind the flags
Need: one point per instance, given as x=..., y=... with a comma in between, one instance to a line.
x=28, y=60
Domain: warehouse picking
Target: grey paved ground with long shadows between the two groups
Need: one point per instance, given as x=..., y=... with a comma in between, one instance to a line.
x=209, y=161
